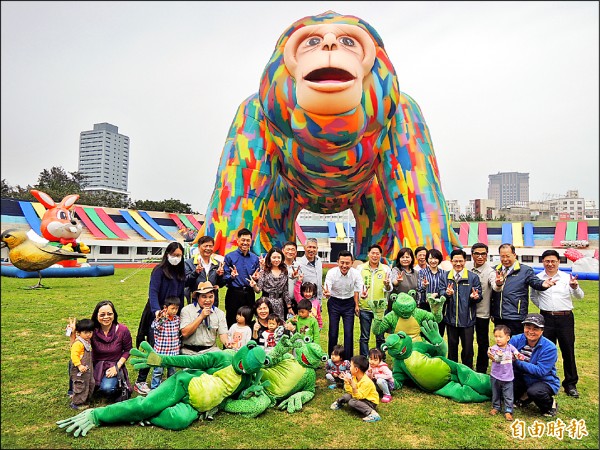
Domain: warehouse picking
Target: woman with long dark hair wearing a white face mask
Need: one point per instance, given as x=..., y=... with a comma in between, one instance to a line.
x=167, y=279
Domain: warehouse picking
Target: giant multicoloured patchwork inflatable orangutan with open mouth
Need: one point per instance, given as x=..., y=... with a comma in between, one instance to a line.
x=329, y=130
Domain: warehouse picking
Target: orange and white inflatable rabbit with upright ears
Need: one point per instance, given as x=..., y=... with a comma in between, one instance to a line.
x=59, y=223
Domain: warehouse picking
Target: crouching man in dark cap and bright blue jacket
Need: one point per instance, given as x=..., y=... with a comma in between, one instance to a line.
x=535, y=377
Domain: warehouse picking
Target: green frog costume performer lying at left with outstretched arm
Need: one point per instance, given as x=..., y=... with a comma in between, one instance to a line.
x=179, y=400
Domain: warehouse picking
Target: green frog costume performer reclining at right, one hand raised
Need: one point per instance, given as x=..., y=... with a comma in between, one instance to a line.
x=425, y=365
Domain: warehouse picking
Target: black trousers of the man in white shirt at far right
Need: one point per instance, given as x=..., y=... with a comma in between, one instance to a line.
x=562, y=328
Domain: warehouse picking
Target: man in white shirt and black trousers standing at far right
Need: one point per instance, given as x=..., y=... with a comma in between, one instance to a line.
x=556, y=305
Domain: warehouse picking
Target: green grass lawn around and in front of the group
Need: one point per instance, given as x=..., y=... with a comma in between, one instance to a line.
x=35, y=353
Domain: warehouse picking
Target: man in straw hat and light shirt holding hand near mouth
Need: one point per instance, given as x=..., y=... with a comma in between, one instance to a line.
x=202, y=321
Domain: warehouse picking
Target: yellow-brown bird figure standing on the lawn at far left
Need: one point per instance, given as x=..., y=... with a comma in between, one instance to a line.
x=30, y=256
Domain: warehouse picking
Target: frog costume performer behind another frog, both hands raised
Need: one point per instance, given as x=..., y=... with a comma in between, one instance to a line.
x=405, y=316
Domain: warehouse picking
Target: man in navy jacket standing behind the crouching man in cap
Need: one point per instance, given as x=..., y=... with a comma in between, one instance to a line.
x=510, y=296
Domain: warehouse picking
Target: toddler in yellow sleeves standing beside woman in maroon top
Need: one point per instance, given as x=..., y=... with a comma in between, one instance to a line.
x=82, y=370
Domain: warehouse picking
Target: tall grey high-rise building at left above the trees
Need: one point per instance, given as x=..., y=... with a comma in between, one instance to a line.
x=104, y=159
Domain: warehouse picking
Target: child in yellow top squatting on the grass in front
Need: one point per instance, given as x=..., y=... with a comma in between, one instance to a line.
x=361, y=393
